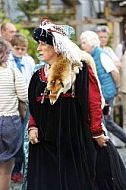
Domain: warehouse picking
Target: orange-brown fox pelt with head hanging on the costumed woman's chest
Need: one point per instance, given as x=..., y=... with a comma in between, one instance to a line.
x=61, y=77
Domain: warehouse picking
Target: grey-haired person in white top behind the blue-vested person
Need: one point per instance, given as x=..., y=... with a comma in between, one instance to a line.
x=103, y=34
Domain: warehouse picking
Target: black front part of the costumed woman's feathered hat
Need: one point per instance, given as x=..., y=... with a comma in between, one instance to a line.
x=42, y=35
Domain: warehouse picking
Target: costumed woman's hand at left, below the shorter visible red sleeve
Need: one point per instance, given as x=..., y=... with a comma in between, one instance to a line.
x=33, y=135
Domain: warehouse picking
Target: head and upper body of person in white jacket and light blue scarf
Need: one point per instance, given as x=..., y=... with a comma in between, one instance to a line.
x=19, y=57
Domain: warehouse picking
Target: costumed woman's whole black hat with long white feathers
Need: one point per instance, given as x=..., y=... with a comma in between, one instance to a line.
x=59, y=37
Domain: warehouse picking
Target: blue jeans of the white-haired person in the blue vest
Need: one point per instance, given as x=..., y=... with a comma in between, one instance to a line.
x=112, y=126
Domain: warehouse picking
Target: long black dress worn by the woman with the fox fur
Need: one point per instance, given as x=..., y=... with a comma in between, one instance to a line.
x=66, y=157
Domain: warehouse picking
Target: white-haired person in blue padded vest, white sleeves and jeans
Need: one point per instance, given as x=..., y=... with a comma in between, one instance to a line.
x=108, y=76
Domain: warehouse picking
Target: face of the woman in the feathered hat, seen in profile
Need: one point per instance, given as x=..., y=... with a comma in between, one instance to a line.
x=46, y=52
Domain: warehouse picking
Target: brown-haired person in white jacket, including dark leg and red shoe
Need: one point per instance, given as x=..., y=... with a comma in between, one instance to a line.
x=18, y=58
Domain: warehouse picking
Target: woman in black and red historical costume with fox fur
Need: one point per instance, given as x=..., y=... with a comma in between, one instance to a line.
x=67, y=142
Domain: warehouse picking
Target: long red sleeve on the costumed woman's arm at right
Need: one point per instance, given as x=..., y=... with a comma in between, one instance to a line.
x=95, y=111
